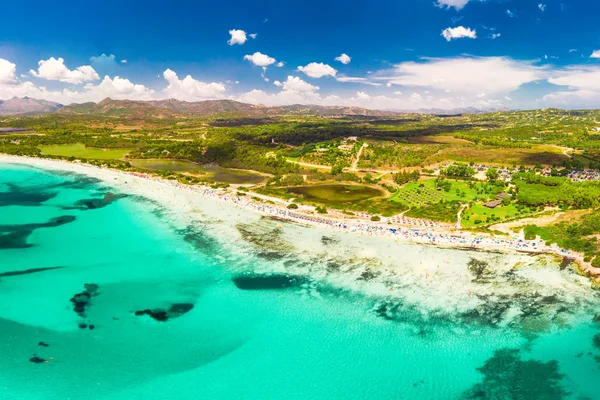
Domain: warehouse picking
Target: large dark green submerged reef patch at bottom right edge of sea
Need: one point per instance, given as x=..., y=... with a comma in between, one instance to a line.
x=507, y=376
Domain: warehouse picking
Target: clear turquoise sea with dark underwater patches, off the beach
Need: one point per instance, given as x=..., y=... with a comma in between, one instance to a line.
x=222, y=319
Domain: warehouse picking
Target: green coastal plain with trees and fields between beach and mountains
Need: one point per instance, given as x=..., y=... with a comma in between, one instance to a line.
x=424, y=163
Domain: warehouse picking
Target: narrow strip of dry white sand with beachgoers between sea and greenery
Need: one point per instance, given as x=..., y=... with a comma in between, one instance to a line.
x=165, y=192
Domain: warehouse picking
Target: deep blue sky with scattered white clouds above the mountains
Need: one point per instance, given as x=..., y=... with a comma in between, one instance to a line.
x=402, y=54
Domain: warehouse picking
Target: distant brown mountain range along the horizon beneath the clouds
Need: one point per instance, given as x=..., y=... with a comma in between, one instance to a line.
x=172, y=108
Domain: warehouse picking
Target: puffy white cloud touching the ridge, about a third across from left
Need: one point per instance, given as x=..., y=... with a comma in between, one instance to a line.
x=190, y=89
